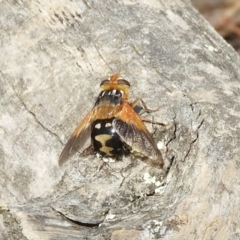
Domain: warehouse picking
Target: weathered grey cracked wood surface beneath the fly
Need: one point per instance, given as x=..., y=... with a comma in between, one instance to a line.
x=53, y=56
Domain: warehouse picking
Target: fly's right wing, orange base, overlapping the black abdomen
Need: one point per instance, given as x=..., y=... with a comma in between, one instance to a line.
x=132, y=131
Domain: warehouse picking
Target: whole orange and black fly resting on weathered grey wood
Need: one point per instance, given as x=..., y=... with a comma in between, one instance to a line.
x=114, y=126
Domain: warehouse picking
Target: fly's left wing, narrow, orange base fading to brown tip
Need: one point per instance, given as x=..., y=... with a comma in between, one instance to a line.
x=78, y=139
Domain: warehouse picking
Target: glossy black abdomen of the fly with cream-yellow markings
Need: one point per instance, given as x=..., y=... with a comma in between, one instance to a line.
x=106, y=141
